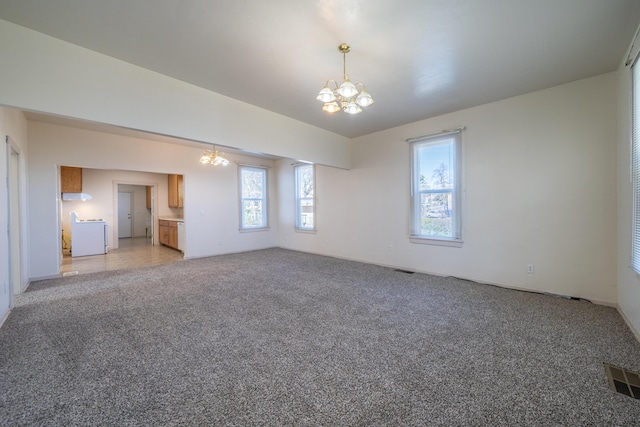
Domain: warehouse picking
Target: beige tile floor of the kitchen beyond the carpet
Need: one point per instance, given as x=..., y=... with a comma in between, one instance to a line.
x=134, y=252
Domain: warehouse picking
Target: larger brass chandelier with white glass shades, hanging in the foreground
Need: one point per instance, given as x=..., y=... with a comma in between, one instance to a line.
x=344, y=97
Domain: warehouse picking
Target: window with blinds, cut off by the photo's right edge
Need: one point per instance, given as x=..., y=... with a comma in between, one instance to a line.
x=635, y=166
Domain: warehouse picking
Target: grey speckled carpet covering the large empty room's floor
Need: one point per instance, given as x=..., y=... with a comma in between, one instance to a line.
x=277, y=337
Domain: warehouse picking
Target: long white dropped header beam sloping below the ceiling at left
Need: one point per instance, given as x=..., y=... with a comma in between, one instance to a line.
x=40, y=73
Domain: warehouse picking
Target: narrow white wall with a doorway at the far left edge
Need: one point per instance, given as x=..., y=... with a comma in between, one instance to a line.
x=14, y=124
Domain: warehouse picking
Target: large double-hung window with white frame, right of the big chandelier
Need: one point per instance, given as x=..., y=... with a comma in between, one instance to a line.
x=435, y=189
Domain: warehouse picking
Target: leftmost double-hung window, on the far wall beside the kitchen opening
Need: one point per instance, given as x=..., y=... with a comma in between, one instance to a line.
x=253, y=197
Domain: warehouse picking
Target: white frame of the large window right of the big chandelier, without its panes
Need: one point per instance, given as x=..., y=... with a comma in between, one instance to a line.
x=415, y=225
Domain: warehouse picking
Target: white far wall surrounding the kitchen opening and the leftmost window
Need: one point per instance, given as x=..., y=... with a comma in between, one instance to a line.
x=211, y=208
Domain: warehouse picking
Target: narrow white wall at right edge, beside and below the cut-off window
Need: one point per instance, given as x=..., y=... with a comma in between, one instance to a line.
x=628, y=281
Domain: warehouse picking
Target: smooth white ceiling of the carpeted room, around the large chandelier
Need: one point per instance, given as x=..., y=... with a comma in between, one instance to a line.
x=418, y=58
